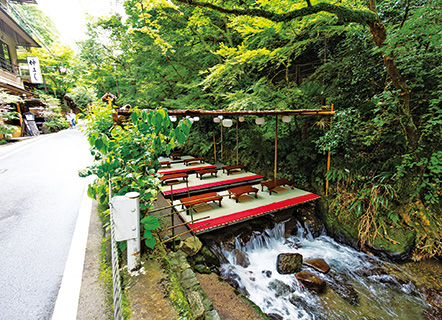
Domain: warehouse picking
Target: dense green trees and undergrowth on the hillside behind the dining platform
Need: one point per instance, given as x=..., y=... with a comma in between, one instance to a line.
x=181, y=56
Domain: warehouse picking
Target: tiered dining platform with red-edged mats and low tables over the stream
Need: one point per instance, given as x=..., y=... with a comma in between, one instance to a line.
x=213, y=196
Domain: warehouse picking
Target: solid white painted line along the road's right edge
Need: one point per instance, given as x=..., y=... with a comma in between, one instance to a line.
x=66, y=305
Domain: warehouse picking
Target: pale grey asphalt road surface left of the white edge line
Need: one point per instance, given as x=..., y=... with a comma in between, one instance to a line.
x=40, y=196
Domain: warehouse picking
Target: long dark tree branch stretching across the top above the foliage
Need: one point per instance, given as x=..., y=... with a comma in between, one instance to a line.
x=343, y=13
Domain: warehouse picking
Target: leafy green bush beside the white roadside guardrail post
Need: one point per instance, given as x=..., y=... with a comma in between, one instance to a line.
x=127, y=155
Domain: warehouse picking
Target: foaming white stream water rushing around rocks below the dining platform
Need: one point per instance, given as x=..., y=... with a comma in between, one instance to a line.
x=378, y=296
